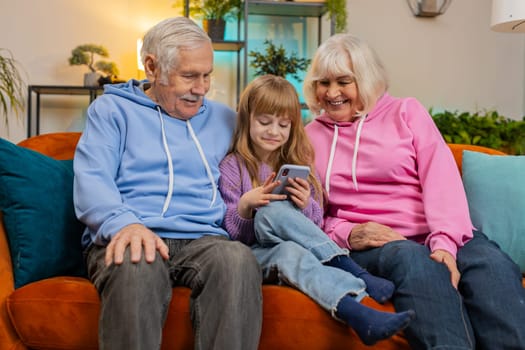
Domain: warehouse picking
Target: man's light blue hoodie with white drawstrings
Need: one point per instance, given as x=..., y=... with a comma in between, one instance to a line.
x=123, y=172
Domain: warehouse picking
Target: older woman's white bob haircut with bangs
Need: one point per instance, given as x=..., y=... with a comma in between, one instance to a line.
x=346, y=55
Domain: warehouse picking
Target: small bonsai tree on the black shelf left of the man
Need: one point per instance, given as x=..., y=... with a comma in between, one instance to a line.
x=85, y=55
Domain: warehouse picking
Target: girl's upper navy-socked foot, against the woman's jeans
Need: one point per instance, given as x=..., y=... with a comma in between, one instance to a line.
x=378, y=288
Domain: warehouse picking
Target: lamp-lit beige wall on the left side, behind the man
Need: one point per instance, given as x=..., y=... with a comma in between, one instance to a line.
x=41, y=35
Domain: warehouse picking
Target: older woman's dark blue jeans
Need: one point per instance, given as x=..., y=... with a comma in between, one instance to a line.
x=487, y=312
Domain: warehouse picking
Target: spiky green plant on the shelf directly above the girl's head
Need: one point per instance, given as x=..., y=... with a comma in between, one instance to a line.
x=275, y=60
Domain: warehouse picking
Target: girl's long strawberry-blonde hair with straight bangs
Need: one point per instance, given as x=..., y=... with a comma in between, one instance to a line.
x=274, y=95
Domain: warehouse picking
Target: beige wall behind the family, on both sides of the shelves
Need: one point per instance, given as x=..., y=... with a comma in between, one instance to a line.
x=449, y=62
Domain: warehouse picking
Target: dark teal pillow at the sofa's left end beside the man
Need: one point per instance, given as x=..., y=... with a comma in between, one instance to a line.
x=36, y=199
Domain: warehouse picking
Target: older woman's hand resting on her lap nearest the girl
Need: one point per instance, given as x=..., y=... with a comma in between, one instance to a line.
x=372, y=235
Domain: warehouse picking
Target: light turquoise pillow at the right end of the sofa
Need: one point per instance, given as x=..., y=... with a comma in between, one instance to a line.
x=495, y=190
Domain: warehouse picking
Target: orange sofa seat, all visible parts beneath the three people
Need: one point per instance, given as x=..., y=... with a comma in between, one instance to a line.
x=62, y=313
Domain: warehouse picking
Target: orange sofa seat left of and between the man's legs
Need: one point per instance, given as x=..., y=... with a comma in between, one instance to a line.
x=62, y=313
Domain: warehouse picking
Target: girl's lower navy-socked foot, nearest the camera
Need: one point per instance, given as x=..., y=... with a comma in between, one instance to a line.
x=372, y=325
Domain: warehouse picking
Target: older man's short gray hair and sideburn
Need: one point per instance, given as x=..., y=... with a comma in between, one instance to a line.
x=167, y=38
